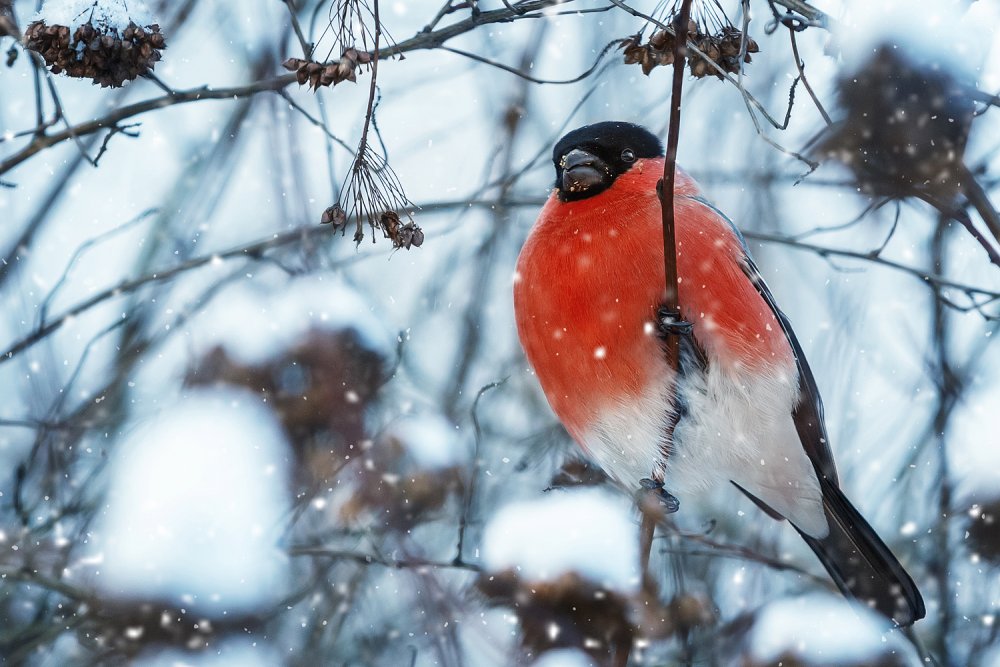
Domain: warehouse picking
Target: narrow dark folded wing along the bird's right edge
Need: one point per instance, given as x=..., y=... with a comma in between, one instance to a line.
x=808, y=412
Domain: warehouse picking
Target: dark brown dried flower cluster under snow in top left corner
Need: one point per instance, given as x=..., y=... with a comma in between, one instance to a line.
x=97, y=51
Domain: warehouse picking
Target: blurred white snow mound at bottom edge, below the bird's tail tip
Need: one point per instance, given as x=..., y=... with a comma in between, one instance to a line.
x=822, y=629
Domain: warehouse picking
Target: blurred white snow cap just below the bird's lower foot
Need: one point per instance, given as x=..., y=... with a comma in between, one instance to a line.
x=587, y=531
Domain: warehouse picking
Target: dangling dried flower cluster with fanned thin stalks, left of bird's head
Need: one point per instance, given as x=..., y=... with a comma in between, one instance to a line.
x=373, y=194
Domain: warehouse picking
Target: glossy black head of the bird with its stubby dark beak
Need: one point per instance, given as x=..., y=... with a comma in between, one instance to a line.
x=590, y=158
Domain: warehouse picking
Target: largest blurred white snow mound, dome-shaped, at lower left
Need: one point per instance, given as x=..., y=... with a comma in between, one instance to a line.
x=196, y=500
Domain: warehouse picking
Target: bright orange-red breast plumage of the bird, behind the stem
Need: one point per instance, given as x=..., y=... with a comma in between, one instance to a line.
x=590, y=278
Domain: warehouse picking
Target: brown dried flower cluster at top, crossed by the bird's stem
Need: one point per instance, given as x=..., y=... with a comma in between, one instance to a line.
x=723, y=48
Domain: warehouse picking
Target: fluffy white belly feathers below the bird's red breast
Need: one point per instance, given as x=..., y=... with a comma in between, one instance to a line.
x=737, y=427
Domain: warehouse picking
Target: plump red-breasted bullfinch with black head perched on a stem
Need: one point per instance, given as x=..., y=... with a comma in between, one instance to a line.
x=588, y=297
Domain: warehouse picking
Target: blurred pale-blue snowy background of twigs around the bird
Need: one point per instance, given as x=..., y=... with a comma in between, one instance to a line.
x=230, y=435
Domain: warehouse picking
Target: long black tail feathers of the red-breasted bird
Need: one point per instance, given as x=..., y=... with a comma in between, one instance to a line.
x=861, y=564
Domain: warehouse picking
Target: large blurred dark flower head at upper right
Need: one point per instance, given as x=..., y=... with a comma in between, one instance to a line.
x=903, y=126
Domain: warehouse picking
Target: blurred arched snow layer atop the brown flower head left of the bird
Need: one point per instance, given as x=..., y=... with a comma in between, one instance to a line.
x=255, y=324
